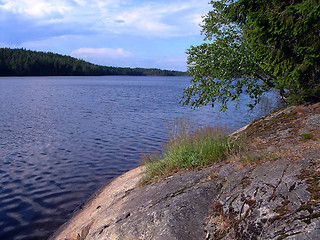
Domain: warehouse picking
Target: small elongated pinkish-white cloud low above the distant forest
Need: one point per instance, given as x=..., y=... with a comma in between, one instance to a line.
x=87, y=53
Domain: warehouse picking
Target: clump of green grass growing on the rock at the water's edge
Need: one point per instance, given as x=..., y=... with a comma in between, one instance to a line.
x=189, y=150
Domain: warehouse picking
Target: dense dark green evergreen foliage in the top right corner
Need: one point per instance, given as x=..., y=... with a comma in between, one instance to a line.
x=286, y=34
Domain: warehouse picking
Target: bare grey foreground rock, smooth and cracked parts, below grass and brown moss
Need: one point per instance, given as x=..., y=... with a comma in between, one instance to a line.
x=270, y=201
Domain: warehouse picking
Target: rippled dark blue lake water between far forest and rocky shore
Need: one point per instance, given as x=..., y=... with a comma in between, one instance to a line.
x=61, y=138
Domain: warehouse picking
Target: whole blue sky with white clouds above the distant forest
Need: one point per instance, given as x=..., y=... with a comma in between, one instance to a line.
x=120, y=33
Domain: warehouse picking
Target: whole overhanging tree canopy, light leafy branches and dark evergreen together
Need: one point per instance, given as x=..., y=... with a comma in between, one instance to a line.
x=252, y=46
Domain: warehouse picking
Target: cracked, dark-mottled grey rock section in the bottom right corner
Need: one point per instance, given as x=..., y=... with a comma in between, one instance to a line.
x=268, y=208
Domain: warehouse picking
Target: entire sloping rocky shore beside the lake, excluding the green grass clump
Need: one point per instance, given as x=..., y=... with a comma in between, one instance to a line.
x=273, y=193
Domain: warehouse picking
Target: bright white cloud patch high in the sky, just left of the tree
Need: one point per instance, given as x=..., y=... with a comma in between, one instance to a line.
x=159, y=19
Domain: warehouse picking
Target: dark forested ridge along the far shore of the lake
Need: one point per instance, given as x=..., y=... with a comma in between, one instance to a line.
x=22, y=62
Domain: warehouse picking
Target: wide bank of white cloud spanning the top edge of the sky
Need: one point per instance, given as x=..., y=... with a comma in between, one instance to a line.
x=144, y=18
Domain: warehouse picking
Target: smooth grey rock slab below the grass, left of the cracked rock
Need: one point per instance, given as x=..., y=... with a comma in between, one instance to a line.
x=171, y=209
